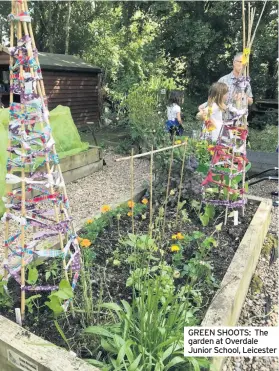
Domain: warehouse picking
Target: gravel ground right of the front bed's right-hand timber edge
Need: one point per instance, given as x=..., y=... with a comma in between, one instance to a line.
x=261, y=306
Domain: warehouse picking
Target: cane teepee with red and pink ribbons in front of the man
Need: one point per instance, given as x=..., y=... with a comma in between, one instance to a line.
x=228, y=164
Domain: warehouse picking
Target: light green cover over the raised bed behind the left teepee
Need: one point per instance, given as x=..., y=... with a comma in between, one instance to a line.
x=64, y=131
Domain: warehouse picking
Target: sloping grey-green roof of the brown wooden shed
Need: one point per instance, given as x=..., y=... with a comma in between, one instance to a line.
x=50, y=61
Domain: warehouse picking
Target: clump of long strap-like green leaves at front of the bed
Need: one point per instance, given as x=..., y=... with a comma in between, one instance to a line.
x=149, y=333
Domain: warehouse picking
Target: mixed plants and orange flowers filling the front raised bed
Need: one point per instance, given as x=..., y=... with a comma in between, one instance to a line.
x=149, y=268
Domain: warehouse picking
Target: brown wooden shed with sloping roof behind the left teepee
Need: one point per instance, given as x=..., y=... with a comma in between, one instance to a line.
x=69, y=81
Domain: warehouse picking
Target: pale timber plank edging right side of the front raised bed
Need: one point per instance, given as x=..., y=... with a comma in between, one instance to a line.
x=227, y=303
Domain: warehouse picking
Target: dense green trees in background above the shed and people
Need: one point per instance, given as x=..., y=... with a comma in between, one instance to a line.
x=192, y=42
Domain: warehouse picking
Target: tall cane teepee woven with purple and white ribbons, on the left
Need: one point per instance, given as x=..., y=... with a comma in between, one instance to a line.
x=37, y=213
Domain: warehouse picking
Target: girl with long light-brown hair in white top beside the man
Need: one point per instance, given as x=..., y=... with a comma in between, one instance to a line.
x=211, y=111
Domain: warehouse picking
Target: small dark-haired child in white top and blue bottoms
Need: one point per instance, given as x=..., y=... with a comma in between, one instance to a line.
x=174, y=122
